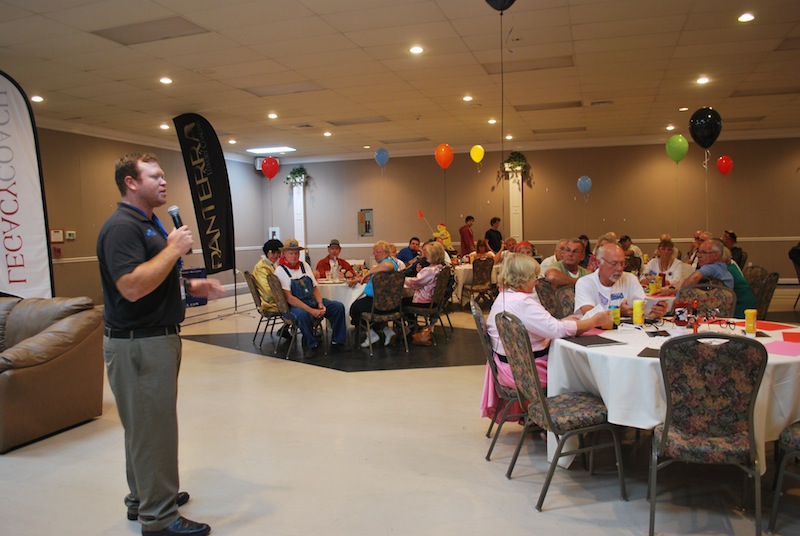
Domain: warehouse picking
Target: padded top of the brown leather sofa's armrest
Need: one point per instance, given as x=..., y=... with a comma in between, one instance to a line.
x=52, y=342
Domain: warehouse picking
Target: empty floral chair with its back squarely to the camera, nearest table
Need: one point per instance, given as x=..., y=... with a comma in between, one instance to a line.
x=711, y=382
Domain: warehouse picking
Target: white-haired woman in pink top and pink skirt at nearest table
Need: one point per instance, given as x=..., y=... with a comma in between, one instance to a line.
x=517, y=280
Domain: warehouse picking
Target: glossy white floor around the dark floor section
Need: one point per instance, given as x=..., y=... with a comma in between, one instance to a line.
x=273, y=447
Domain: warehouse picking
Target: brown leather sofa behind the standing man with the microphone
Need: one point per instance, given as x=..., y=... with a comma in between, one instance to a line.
x=51, y=366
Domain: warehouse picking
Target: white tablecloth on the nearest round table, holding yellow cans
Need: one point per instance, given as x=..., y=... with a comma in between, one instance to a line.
x=633, y=391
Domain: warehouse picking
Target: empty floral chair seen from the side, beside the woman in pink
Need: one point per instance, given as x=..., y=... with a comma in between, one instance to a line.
x=565, y=415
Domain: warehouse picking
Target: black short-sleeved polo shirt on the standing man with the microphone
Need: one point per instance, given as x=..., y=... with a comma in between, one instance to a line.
x=127, y=239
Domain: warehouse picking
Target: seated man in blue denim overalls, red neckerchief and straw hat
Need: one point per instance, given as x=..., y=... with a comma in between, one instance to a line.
x=300, y=286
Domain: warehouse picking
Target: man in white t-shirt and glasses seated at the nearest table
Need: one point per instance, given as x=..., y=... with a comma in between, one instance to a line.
x=611, y=285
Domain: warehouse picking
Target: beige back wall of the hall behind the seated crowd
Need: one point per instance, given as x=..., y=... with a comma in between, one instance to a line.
x=633, y=192
